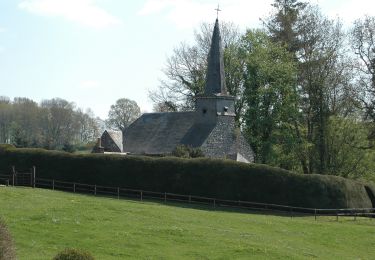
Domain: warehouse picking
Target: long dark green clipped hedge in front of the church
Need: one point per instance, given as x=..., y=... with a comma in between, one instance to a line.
x=222, y=179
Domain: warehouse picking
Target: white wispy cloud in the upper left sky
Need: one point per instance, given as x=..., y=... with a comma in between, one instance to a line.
x=81, y=11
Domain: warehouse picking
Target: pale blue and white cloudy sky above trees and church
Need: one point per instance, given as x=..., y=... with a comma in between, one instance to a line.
x=93, y=52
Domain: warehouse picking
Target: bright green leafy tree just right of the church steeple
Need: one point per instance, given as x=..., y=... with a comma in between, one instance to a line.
x=270, y=96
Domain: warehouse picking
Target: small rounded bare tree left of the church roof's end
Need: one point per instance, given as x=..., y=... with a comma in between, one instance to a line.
x=123, y=113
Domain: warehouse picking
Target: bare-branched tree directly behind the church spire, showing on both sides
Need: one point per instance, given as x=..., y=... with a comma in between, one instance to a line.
x=185, y=69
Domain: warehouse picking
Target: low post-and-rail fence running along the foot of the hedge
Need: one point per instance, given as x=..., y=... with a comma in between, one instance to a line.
x=121, y=193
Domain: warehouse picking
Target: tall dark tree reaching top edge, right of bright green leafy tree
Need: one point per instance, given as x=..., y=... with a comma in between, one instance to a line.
x=323, y=84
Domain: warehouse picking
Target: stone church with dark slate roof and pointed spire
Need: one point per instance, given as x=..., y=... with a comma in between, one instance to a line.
x=210, y=127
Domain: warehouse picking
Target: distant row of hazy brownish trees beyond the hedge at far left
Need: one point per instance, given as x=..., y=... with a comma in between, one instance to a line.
x=52, y=124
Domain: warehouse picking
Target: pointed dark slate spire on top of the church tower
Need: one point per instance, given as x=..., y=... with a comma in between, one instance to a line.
x=215, y=78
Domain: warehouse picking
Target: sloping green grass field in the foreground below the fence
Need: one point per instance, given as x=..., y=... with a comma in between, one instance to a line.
x=44, y=222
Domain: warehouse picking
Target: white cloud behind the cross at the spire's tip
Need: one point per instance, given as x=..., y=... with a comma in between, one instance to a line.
x=189, y=13
